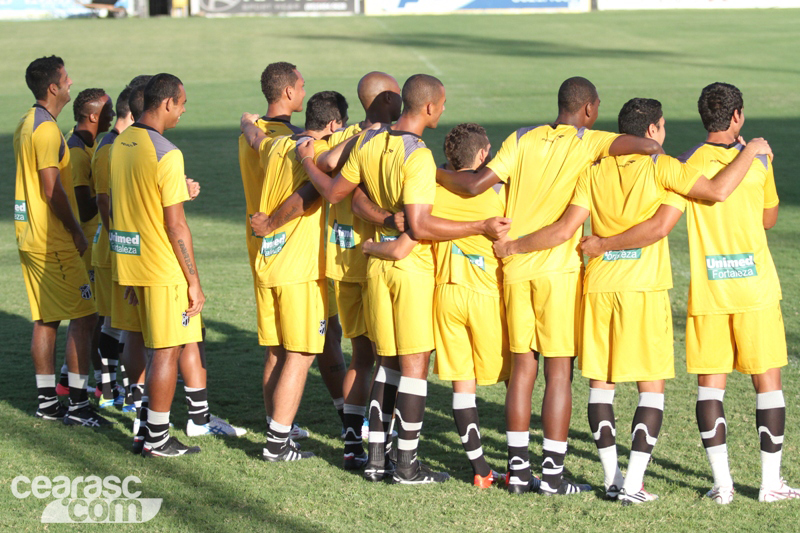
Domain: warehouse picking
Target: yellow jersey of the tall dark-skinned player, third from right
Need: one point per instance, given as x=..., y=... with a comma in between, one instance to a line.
x=541, y=165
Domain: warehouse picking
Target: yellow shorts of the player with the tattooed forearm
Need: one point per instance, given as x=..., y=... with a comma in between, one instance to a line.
x=162, y=313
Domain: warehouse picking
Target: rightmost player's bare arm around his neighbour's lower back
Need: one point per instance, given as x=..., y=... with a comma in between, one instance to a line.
x=643, y=234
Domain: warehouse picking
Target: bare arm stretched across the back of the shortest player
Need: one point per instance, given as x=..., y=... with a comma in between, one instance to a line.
x=424, y=226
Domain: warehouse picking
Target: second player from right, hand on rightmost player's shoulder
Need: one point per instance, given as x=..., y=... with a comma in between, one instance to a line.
x=627, y=320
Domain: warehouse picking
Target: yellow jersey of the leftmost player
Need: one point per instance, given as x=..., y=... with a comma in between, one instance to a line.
x=39, y=144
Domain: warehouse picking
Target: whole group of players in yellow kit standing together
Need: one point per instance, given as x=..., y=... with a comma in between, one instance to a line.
x=353, y=231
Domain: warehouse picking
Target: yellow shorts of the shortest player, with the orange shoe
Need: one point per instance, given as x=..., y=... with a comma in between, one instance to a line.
x=470, y=334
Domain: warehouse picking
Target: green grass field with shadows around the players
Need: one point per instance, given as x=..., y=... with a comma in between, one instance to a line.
x=500, y=71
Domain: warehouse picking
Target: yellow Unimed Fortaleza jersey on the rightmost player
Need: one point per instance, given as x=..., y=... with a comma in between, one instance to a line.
x=731, y=266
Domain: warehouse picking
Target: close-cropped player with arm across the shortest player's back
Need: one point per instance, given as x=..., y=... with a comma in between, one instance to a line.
x=399, y=174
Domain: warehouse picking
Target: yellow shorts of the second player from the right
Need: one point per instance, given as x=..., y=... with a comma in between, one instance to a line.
x=627, y=336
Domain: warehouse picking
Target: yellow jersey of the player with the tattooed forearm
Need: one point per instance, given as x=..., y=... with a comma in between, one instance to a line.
x=146, y=175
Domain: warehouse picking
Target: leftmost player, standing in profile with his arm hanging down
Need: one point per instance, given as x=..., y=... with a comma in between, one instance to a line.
x=51, y=242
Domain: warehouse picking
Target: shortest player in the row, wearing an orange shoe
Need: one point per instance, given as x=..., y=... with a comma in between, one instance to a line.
x=469, y=317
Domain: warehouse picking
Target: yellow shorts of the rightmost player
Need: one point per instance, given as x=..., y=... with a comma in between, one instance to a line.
x=751, y=342
